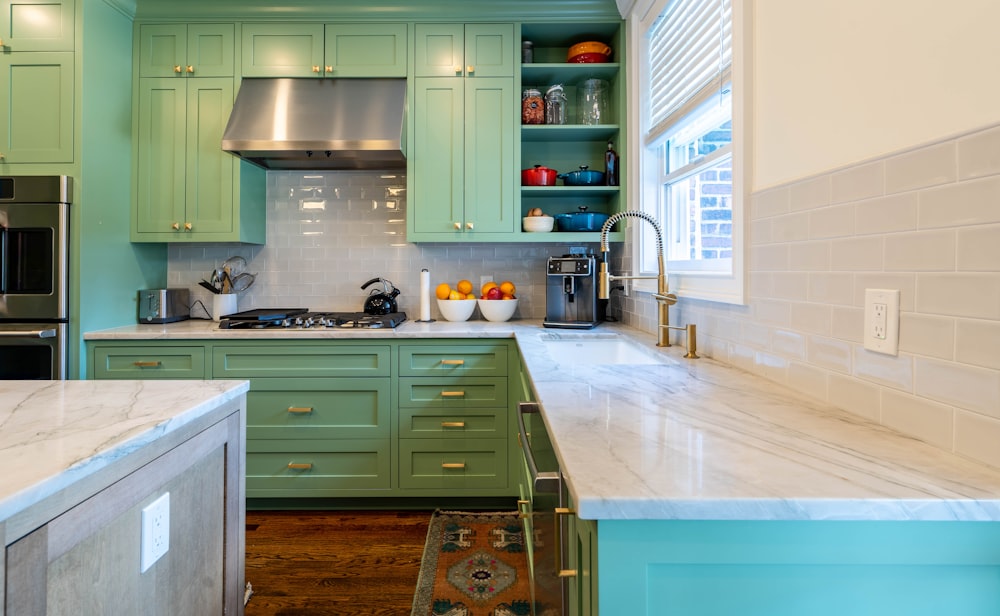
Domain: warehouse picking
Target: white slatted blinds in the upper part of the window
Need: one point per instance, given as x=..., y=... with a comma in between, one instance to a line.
x=690, y=57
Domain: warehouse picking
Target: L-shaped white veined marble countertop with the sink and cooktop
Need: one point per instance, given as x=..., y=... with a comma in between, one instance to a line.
x=700, y=440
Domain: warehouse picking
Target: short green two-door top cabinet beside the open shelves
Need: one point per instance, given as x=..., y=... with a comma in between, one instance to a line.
x=457, y=50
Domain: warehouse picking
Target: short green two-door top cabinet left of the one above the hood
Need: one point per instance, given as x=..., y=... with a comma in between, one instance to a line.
x=179, y=50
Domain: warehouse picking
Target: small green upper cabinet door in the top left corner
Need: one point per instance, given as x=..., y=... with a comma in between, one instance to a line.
x=37, y=25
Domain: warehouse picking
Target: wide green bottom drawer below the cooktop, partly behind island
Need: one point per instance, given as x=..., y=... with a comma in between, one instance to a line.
x=309, y=467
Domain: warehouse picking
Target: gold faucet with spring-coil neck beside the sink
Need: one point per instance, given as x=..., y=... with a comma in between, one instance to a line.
x=664, y=299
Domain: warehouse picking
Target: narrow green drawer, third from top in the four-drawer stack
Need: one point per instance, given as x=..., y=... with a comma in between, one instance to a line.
x=468, y=423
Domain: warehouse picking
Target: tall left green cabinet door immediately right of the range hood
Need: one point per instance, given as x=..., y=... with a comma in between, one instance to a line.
x=438, y=165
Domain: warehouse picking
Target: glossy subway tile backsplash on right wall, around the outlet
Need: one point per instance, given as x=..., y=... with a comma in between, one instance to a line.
x=926, y=222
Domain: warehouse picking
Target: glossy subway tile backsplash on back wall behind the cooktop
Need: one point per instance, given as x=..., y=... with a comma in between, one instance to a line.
x=319, y=258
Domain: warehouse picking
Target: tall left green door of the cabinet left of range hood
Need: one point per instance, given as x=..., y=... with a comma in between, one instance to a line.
x=161, y=156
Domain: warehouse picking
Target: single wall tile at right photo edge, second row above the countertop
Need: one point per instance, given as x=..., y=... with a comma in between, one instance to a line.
x=966, y=387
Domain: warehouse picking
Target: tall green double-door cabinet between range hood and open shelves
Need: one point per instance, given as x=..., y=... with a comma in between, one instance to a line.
x=461, y=169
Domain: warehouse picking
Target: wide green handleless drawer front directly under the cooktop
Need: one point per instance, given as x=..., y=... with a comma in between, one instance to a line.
x=300, y=361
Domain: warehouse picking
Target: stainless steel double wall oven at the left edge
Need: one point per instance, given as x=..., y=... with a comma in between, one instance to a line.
x=34, y=276
